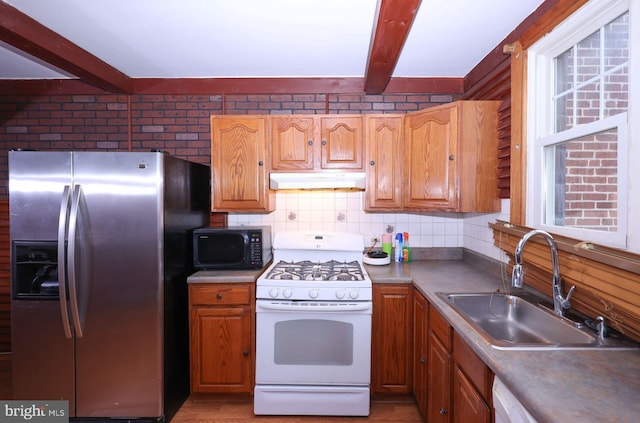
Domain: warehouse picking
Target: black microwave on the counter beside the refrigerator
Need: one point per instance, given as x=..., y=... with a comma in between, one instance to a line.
x=232, y=247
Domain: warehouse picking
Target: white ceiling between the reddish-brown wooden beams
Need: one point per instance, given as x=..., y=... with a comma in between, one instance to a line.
x=263, y=38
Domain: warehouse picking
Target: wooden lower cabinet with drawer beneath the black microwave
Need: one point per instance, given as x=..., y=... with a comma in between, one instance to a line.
x=221, y=320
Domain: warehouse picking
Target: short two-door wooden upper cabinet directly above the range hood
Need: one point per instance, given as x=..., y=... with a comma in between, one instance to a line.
x=314, y=142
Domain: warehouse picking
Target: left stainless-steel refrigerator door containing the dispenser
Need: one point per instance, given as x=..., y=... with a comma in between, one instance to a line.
x=42, y=357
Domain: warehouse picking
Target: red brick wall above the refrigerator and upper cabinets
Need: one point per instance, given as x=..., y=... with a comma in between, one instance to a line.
x=178, y=124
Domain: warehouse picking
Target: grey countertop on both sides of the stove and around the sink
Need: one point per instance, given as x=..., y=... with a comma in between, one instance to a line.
x=555, y=386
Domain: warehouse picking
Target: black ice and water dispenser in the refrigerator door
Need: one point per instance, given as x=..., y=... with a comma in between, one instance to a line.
x=35, y=269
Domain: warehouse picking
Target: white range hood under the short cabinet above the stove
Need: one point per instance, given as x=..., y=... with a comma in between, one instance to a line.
x=317, y=180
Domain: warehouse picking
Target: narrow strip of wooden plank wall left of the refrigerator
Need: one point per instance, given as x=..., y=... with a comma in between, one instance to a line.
x=5, y=285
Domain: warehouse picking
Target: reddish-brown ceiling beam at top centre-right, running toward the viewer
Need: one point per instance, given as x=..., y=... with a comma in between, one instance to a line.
x=392, y=23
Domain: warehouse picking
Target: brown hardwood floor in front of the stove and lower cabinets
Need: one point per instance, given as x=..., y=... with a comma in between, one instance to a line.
x=230, y=409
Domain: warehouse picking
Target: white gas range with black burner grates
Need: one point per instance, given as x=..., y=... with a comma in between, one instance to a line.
x=313, y=327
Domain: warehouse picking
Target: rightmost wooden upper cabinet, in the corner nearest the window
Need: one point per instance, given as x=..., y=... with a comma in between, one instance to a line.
x=451, y=158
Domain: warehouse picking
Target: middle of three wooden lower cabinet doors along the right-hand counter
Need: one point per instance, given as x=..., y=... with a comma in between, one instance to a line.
x=438, y=381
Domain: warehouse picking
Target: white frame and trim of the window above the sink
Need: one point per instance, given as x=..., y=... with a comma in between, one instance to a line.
x=540, y=121
